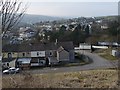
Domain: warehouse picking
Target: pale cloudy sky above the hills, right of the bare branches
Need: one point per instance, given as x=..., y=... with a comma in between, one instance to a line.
x=73, y=8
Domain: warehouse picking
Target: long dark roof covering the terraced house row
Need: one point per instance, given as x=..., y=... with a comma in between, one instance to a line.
x=37, y=47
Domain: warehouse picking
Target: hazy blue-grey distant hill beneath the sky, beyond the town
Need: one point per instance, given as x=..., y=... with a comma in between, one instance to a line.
x=29, y=18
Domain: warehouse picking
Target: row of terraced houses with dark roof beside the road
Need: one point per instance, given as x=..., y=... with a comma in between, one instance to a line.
x=38, y=54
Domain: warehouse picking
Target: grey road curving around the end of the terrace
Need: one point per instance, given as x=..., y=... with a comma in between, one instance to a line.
x=98, y=63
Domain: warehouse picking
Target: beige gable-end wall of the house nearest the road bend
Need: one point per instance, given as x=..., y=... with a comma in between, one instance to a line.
x=63, y=56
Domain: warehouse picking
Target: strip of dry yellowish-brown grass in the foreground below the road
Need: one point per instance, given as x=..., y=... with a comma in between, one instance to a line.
x=82, y=79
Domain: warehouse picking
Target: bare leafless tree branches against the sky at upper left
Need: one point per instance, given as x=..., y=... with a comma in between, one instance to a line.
x=11, y=13
